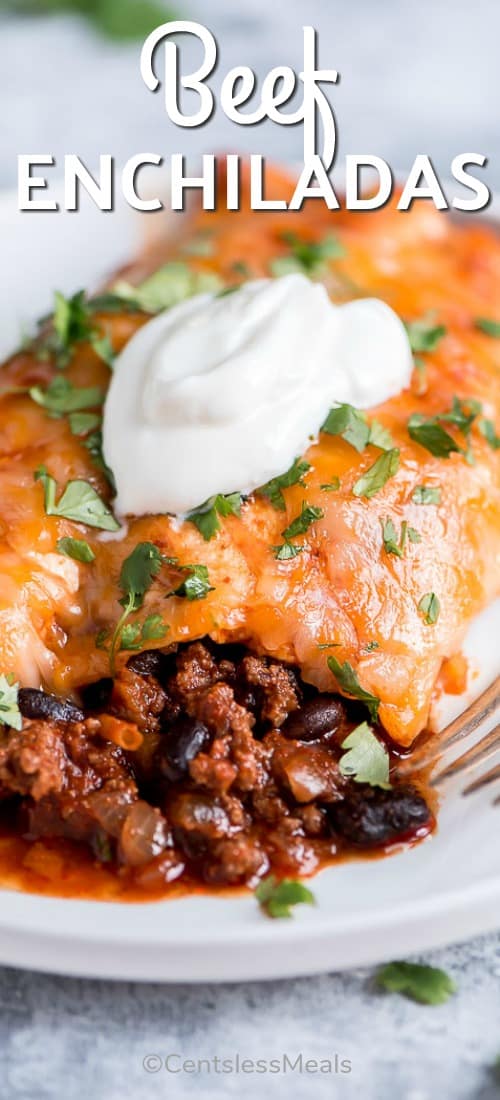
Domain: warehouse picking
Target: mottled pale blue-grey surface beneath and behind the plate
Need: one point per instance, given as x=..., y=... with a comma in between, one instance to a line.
x=416, y=78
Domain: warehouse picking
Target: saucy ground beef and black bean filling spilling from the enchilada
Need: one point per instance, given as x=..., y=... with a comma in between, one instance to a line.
x=236, y=772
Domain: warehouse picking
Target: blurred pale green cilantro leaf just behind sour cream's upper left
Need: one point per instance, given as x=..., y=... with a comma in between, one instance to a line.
x=171, y=284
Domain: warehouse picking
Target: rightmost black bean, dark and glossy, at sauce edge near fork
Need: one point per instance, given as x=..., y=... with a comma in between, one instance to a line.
x=373, y=817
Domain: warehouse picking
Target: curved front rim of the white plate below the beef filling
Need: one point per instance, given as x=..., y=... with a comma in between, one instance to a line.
x=314, y=943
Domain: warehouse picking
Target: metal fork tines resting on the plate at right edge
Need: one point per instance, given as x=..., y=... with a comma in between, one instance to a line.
x=475, y=753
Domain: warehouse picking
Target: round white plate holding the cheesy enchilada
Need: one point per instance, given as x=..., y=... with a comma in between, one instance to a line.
x=445, y=890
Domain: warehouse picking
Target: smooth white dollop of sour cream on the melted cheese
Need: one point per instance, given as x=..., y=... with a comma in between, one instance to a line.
x=221, y=393
